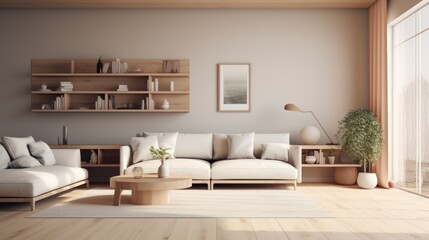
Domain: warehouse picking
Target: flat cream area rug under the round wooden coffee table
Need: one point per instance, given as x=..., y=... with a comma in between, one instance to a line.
x=193, y=203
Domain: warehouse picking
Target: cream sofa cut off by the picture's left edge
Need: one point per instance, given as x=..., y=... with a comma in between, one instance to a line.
x=36, y=183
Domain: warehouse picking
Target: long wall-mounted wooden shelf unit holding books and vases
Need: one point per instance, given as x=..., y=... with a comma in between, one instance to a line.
x=98, y=92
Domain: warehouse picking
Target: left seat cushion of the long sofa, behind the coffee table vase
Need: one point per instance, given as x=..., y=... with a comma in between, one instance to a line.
x=195, y=168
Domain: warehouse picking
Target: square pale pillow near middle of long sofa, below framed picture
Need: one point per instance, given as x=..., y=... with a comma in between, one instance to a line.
x=240, y=146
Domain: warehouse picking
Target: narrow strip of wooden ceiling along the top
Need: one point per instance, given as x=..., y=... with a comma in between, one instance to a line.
x=186, y=3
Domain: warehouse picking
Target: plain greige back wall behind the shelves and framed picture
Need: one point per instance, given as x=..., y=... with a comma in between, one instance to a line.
x=317, y=59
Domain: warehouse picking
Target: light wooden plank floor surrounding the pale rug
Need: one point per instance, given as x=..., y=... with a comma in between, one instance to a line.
x=360, y=214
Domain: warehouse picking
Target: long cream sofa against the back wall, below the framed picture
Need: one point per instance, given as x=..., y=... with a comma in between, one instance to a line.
x=203, y=157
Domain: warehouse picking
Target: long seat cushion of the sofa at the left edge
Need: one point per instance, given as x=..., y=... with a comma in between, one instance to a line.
x=31, y=182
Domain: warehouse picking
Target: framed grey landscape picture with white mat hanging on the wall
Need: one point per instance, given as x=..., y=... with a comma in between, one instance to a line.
x=233, y=87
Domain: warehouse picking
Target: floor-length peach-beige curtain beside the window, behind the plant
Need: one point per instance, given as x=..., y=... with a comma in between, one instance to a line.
x=378, y=79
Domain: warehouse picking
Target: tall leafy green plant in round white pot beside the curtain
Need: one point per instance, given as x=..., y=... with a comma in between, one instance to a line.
x=360, y=136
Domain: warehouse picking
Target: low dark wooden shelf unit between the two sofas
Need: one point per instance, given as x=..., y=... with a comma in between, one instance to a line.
x=104, y=164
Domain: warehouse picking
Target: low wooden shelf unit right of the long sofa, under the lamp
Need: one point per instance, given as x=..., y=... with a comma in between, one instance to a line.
x=322, y=171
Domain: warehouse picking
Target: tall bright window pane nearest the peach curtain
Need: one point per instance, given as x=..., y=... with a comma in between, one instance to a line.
x=405, y=114
